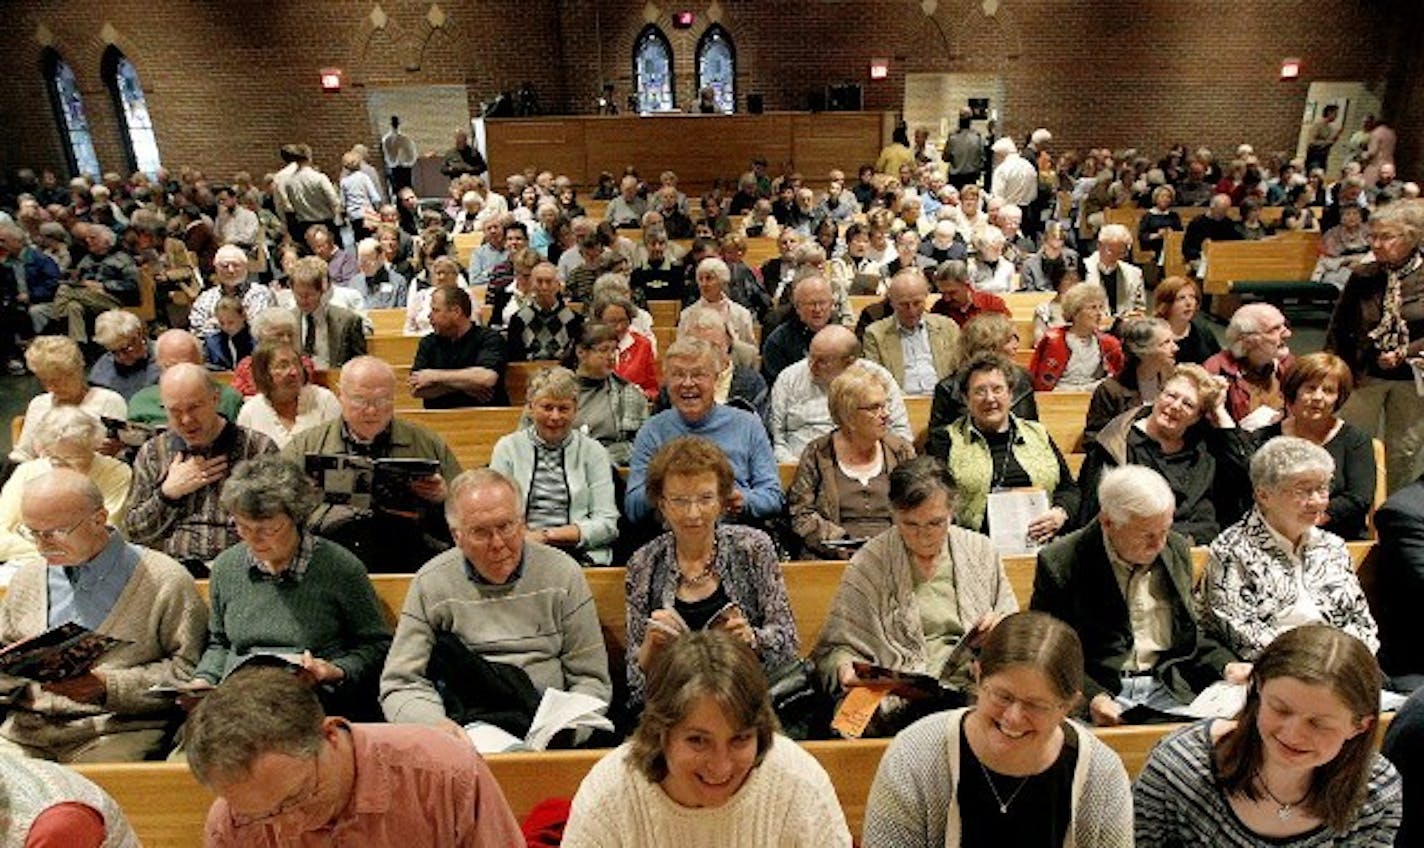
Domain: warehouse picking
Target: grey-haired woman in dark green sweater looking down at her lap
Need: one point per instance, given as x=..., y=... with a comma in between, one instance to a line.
x=286, y=591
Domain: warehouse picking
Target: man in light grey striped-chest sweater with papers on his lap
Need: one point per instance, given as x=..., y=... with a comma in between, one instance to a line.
x=509, y=603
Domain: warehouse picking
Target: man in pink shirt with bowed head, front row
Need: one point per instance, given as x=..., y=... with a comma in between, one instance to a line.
x=287, y=775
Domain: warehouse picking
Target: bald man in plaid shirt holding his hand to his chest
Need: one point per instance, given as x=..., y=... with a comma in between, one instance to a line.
x=180, y=473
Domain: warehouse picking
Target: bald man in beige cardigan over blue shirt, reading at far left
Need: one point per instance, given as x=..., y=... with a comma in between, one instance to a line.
x=90, y=576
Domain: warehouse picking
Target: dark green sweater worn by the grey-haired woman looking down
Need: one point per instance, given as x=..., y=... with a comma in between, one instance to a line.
x=333, y=613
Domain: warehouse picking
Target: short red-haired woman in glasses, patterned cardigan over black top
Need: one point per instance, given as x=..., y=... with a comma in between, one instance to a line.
x=703, y=574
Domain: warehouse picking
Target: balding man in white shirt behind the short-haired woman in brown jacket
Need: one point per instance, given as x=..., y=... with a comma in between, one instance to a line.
x=801, y=410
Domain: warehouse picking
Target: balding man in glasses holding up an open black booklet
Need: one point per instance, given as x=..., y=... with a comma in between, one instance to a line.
x=385, y=540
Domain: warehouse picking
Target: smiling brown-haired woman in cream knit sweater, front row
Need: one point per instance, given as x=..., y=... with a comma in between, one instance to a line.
x=706, y=768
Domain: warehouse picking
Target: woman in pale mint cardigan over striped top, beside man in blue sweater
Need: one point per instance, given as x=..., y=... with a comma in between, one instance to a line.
x=565, y=475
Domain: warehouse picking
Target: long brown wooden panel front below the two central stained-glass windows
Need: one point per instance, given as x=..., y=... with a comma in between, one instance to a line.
x=700, y=149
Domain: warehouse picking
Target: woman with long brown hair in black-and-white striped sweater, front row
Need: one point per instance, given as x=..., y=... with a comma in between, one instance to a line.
x=1295, y=769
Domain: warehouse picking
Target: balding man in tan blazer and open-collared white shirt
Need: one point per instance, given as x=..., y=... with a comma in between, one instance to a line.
x=918, y=349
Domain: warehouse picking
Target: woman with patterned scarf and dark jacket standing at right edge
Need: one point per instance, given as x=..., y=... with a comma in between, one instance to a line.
x=1378, y=328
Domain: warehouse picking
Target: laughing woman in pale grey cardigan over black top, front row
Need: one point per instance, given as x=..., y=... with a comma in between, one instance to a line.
x=1013, y=769
